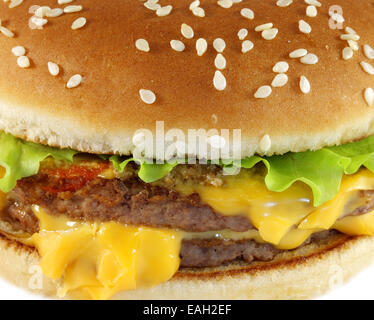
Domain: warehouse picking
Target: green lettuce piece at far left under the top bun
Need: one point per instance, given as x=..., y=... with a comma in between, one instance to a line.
x=22, y=159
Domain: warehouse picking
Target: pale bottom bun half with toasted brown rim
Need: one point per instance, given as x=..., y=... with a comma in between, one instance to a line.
x=301, y=274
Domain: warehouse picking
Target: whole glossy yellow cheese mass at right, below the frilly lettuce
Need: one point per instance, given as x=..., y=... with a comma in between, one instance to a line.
x=288, y=218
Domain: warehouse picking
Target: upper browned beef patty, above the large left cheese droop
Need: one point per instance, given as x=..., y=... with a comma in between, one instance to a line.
x=130, y=202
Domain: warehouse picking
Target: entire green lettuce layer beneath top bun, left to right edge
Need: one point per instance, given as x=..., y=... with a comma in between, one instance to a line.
x=321, y=170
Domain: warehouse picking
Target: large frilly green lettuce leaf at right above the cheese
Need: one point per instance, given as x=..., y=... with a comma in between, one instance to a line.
x=321, y=170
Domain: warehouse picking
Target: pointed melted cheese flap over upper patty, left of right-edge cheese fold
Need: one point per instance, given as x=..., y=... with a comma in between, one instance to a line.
x=273, y=214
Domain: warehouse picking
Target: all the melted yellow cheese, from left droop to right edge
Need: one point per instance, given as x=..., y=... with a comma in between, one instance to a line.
x=97, y=260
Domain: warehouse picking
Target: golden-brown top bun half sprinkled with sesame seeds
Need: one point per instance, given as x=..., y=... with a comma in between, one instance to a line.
x=101, y=115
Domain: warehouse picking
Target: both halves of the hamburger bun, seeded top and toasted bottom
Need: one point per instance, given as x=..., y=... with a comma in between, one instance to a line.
x=102, y=113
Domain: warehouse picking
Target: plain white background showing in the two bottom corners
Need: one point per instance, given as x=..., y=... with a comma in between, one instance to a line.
x=360, y=287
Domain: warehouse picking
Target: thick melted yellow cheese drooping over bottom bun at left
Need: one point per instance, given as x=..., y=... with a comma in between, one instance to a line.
x=100, y=259
